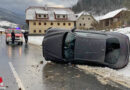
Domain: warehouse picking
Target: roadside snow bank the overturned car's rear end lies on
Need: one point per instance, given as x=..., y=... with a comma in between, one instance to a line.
x=121, y=76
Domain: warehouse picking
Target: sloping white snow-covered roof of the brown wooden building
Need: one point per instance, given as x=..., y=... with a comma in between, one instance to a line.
x=112, y=14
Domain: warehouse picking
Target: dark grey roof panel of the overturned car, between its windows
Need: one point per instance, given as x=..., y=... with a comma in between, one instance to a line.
x=90, y=47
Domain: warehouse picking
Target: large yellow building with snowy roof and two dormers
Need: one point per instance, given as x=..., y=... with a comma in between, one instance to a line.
x=40, y=19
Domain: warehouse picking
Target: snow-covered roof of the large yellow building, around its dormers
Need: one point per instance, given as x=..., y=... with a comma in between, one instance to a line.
x=32, y=11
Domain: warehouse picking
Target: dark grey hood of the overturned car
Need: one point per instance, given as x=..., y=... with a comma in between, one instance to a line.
x=53, y=46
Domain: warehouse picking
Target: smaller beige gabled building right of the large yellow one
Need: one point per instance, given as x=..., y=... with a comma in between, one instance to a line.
x=85, y=21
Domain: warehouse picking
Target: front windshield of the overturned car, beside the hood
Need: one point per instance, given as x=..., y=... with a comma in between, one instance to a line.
x=69, y=43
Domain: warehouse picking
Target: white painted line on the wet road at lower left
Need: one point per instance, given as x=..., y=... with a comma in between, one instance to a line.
x=20, y=85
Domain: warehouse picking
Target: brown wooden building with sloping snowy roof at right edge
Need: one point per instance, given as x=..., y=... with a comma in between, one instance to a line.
x=115, y=19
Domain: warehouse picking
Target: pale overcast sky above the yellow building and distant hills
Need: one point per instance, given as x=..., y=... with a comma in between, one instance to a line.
x=19, y=6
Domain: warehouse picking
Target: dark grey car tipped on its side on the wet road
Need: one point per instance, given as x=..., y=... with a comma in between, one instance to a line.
x=104, y=48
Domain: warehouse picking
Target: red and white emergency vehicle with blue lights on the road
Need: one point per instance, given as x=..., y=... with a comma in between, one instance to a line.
x=18, y=36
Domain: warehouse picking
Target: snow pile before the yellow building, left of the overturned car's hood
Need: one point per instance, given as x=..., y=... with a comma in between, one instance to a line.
x=36, y=40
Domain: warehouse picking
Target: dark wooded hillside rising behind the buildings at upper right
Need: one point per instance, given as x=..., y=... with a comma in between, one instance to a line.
x=98, y=7
